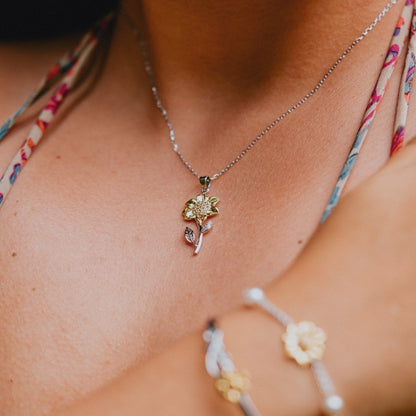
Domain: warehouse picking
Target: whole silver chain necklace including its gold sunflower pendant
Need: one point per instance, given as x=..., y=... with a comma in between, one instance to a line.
x=200, y=208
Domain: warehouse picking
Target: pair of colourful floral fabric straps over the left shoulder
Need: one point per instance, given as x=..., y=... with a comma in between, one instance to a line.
x=71, y=64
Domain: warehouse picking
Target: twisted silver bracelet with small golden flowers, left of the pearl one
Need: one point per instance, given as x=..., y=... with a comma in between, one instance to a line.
x=230, y=383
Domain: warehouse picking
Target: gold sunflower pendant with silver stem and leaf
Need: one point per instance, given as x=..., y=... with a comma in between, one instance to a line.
x=198, y=209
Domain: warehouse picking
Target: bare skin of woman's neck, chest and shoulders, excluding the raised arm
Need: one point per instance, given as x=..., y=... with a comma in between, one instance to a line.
x=101, y=277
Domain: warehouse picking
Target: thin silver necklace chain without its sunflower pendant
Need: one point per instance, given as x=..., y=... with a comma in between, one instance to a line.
x=266, y=130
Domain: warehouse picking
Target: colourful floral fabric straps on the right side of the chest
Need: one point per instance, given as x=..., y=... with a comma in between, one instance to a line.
x=398, y=42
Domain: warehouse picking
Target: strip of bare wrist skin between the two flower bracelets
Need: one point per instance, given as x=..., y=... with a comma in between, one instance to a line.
x=278, y=385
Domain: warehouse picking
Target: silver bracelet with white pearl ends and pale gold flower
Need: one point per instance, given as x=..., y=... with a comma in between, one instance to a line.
x=305, y=343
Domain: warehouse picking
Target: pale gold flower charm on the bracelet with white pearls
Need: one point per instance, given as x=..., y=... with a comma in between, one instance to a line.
x=304, y=342
